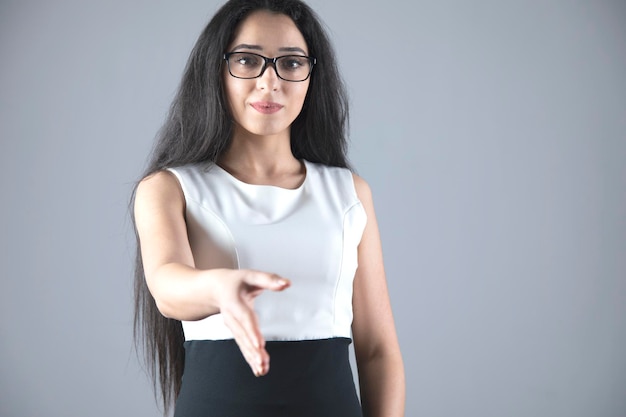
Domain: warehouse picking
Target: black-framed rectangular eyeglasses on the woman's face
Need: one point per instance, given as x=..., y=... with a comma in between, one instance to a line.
x=248, y=65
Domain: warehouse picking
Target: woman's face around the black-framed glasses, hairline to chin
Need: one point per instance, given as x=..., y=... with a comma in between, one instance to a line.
x=266, y=105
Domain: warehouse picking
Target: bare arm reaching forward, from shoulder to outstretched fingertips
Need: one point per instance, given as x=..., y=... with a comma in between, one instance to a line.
x=183, y=292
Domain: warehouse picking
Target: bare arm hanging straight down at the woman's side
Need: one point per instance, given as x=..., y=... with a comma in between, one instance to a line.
x=381, y=370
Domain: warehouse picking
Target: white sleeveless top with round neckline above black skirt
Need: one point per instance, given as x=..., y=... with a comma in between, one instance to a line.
x=309, y=235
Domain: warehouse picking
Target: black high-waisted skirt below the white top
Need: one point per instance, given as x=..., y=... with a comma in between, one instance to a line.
x=306, y=379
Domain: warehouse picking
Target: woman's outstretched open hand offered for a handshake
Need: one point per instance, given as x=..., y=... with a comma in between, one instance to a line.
x=235, y=295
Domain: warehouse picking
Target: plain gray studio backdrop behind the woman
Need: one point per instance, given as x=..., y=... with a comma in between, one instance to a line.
x=493, y=134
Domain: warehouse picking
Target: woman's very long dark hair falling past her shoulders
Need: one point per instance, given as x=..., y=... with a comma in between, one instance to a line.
x=198, y=128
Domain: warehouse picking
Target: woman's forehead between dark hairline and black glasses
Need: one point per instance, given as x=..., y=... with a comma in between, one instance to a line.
x=270, y=31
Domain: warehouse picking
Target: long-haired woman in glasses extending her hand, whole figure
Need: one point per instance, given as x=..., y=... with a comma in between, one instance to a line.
x=256, y=241
